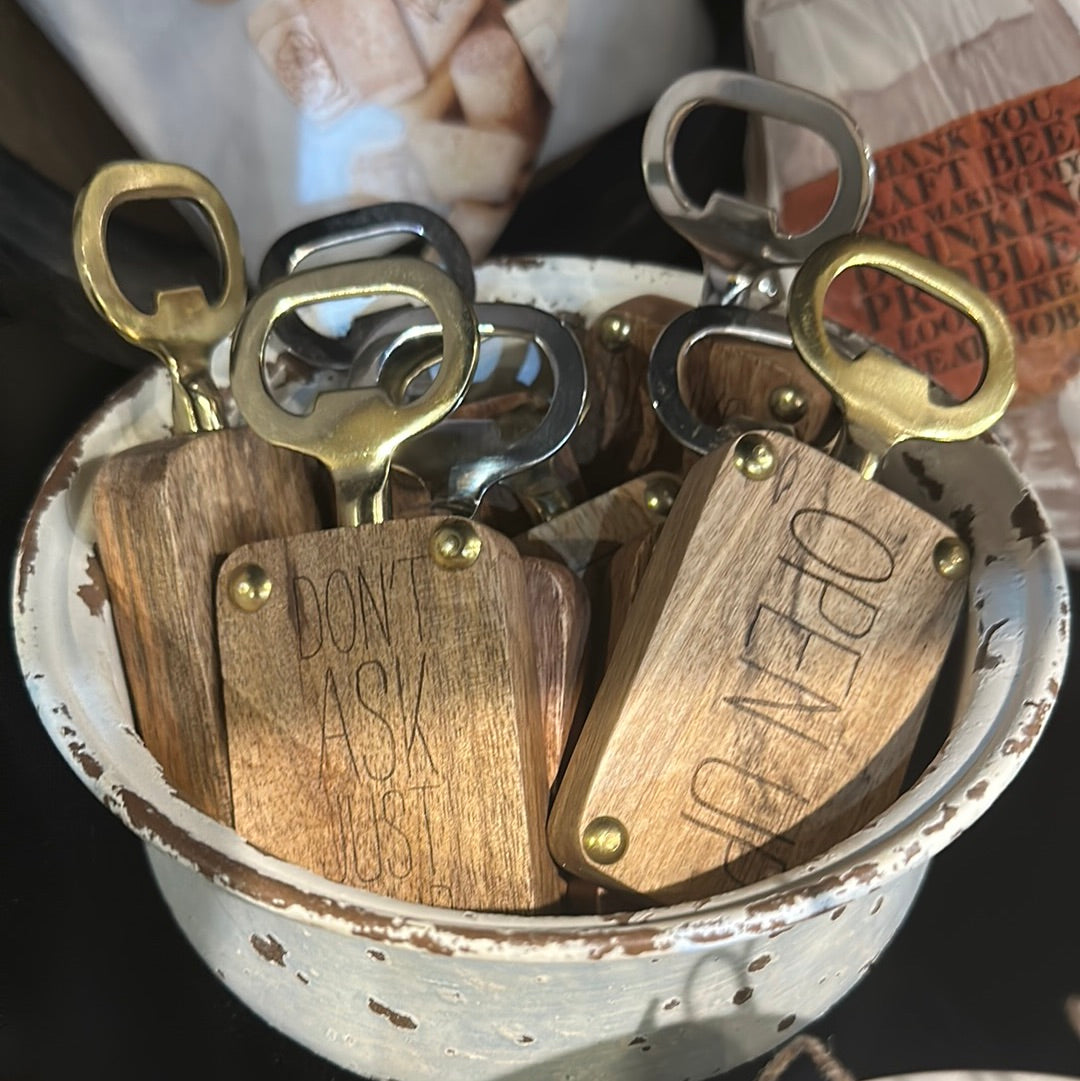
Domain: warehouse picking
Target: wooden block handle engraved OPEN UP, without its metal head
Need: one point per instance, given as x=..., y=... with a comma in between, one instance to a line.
x=766, y=690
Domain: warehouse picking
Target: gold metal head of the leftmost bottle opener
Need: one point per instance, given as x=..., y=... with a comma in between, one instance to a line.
x=184, y=327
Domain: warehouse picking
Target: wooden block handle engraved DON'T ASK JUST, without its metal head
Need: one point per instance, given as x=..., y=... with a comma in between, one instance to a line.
x=383, y=717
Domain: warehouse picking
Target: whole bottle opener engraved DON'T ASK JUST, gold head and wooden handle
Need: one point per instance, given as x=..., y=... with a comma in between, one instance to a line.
x=380, y=682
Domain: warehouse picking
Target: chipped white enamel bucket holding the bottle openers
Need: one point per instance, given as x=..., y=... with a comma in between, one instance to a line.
x=399, y=991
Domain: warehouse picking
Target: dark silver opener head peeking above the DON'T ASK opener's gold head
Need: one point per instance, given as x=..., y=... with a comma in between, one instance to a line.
x=399, y=220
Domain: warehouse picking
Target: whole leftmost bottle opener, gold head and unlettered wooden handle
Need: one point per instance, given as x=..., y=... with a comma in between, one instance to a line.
x=168, y=512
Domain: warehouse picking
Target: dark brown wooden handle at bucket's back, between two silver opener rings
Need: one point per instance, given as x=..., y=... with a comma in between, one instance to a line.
x=621, y=436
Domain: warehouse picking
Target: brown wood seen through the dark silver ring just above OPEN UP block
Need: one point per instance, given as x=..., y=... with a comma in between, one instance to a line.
x=725, y=378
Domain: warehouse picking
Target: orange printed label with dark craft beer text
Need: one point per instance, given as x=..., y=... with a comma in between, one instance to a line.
x=995, y=195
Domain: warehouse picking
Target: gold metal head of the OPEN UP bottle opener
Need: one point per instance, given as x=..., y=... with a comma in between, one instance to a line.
x=885, y=403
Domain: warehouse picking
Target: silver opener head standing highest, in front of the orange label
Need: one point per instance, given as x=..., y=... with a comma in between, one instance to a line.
x=739, y=241
